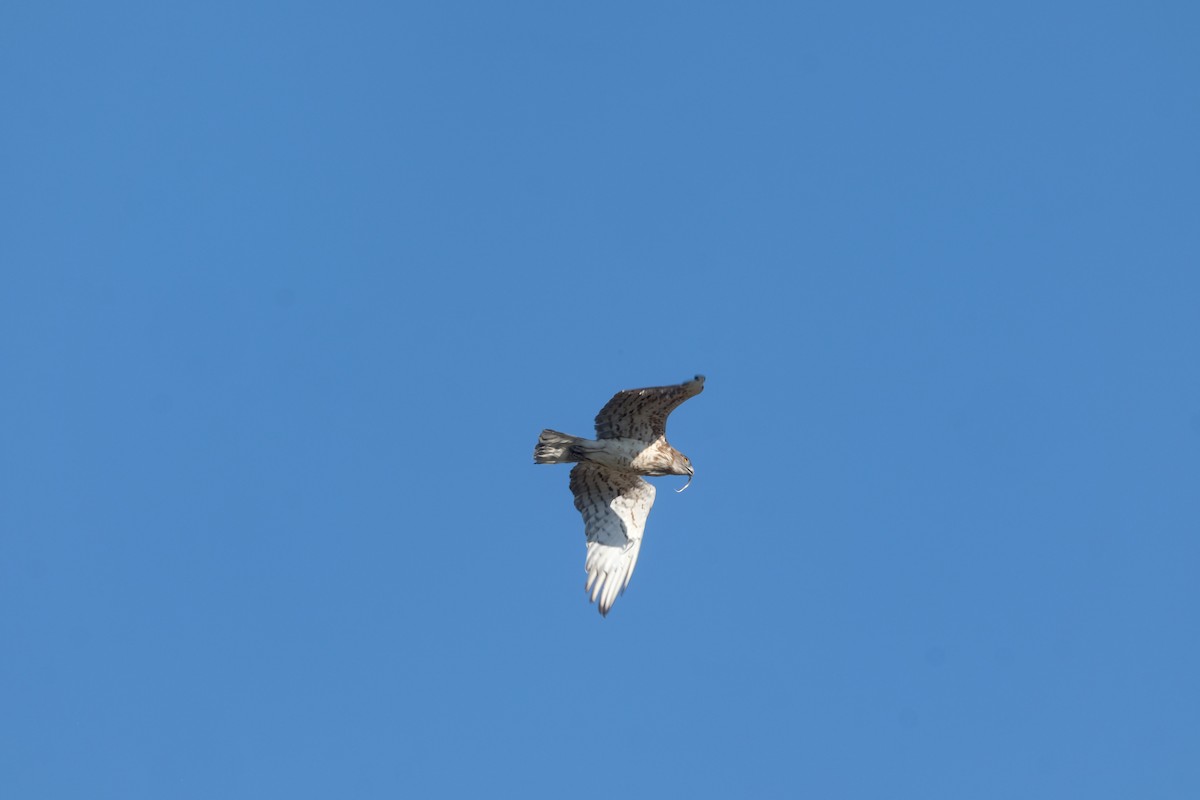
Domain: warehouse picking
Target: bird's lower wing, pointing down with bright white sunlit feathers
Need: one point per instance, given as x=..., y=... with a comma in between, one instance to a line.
x=615, y=507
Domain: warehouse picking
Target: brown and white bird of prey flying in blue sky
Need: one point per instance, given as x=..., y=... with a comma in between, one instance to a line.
x=607, y=479
